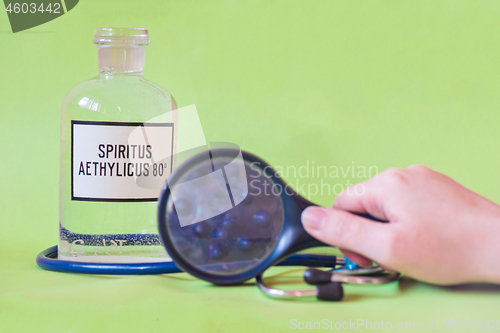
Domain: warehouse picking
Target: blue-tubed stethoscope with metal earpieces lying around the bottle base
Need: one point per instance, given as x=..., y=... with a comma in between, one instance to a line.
x=328, y=283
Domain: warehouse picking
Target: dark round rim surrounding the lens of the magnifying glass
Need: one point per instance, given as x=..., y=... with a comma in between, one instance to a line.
x=220, y=279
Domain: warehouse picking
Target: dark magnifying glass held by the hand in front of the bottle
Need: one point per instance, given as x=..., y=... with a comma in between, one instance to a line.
x=225, y=216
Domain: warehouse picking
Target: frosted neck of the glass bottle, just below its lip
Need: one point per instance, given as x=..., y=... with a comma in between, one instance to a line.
x=121, y=59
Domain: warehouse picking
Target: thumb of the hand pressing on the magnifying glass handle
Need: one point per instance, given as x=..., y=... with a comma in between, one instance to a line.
x=347, y=231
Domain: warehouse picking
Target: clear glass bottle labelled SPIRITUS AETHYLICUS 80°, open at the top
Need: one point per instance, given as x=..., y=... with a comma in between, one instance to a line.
x=116, y=133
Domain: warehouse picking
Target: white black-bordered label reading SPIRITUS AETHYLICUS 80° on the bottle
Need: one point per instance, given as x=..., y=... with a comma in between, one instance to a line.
x=120, y=161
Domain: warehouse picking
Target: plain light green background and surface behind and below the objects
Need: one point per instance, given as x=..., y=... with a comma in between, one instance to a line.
x=365, y=83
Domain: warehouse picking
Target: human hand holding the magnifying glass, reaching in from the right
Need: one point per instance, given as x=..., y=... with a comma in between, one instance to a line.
x=438, y=231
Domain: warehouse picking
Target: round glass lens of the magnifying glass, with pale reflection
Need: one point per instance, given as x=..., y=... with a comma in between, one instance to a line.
x=224, y=217
